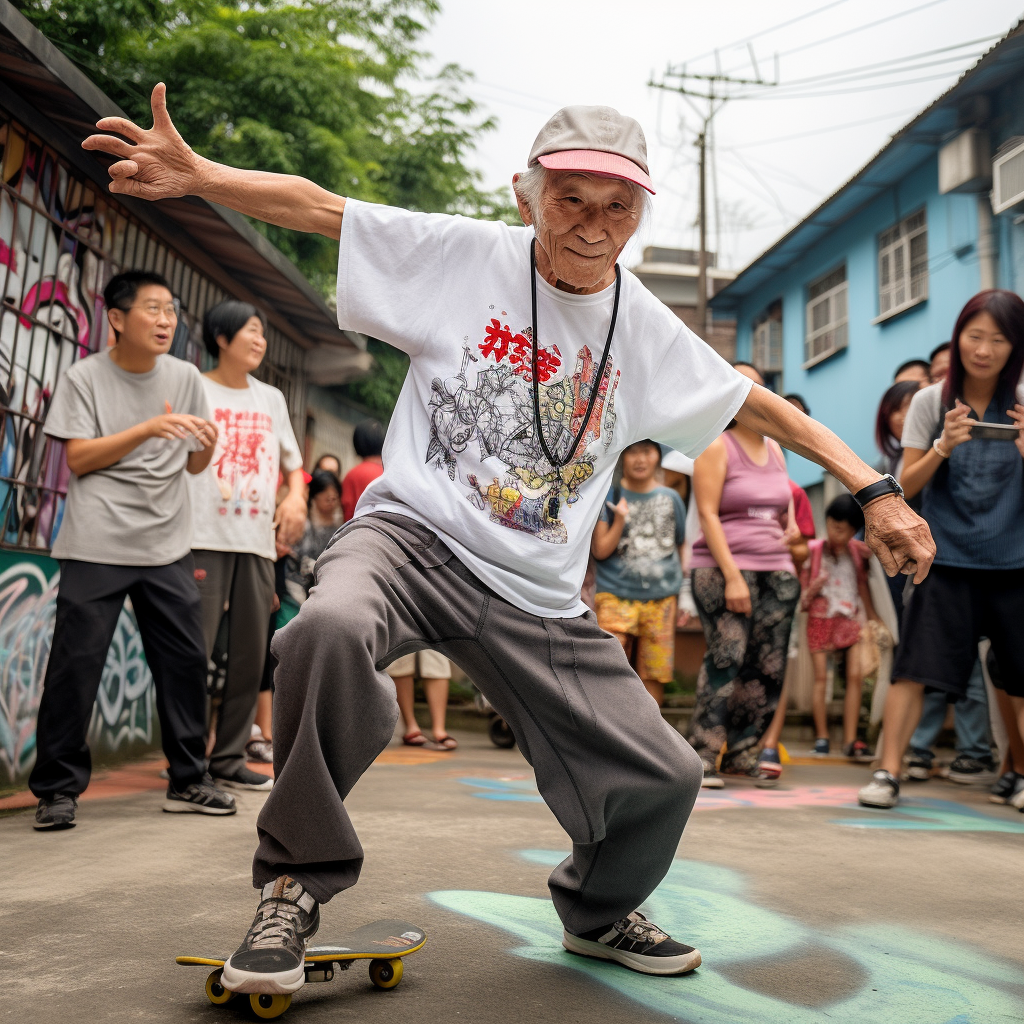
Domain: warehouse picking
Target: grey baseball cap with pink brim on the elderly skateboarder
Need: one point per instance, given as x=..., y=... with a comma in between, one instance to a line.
x=594, y=141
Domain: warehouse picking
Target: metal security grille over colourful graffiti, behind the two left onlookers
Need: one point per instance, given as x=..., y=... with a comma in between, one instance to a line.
x=62, y=240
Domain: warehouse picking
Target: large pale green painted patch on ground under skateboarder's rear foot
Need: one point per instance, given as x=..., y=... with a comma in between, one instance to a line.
x=872, y=974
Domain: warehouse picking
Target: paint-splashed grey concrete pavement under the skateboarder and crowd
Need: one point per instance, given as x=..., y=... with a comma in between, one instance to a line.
x=806, y=908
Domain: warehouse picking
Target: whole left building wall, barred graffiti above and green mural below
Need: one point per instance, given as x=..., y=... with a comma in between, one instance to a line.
x=62, y=239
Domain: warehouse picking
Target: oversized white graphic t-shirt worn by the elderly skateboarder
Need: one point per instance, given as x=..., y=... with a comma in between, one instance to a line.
x=463, y=455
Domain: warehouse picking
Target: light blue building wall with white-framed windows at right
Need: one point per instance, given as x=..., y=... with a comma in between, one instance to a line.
x=843, y=392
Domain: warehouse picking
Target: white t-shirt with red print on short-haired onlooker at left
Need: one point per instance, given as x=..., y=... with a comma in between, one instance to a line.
x=233, y=501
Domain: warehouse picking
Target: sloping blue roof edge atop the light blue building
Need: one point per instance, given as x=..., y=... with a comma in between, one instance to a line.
x=907, y=149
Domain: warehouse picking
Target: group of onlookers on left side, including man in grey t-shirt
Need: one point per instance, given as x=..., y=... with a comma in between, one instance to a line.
x=189, y=497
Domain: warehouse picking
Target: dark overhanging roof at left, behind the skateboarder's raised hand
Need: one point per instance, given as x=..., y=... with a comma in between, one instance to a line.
x=220, y=242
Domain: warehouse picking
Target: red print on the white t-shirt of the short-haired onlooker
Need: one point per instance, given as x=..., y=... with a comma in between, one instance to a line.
x=244, y=461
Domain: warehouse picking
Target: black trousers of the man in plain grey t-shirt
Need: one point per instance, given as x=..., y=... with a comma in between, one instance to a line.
x=167, y=609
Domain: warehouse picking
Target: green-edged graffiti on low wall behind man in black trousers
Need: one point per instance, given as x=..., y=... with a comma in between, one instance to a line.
x=124, y=711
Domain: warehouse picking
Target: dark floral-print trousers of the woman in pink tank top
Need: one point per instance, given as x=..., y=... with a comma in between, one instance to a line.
x=742, y=674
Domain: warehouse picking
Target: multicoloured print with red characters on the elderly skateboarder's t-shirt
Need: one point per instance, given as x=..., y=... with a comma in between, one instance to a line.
x=495, y=411
